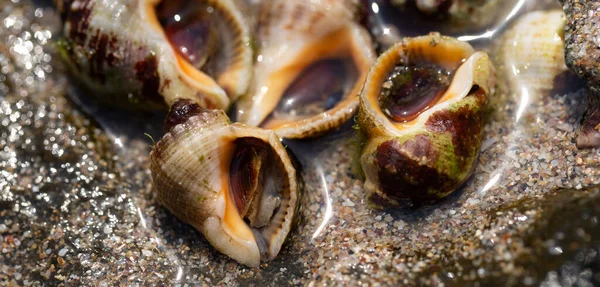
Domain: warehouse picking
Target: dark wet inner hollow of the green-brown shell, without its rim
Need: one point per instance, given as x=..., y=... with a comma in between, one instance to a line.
x=411, y=90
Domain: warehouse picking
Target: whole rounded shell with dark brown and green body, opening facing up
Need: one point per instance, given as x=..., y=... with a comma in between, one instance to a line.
x=432, y=153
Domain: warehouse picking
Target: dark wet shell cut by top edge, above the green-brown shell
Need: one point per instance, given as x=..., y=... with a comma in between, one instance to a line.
x=470, y=20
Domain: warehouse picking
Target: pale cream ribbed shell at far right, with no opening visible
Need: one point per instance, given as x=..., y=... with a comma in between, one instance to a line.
x=532, y=53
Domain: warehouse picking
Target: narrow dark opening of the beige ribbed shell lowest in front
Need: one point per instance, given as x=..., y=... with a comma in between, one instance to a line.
x=259, y=188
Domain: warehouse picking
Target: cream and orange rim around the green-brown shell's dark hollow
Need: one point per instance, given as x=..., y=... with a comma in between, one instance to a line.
x=465, y=77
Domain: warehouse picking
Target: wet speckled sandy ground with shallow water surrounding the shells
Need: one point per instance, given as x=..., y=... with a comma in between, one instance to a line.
x=76, y=202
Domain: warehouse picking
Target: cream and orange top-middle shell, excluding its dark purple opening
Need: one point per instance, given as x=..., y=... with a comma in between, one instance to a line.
x=292, y=35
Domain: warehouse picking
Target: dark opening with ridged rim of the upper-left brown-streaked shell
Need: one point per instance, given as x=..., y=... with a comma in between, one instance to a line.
x=210, y=39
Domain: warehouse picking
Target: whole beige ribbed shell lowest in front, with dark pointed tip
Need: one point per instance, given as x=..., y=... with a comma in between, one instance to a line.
x=234, y=183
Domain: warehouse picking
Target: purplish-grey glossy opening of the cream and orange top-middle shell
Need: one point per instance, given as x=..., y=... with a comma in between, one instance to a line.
x=318, y=88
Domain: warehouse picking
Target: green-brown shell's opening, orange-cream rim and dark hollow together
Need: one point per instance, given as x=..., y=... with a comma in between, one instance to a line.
x=430, y=73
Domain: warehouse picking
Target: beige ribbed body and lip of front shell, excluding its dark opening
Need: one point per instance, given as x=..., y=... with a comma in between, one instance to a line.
x=180, y=177
